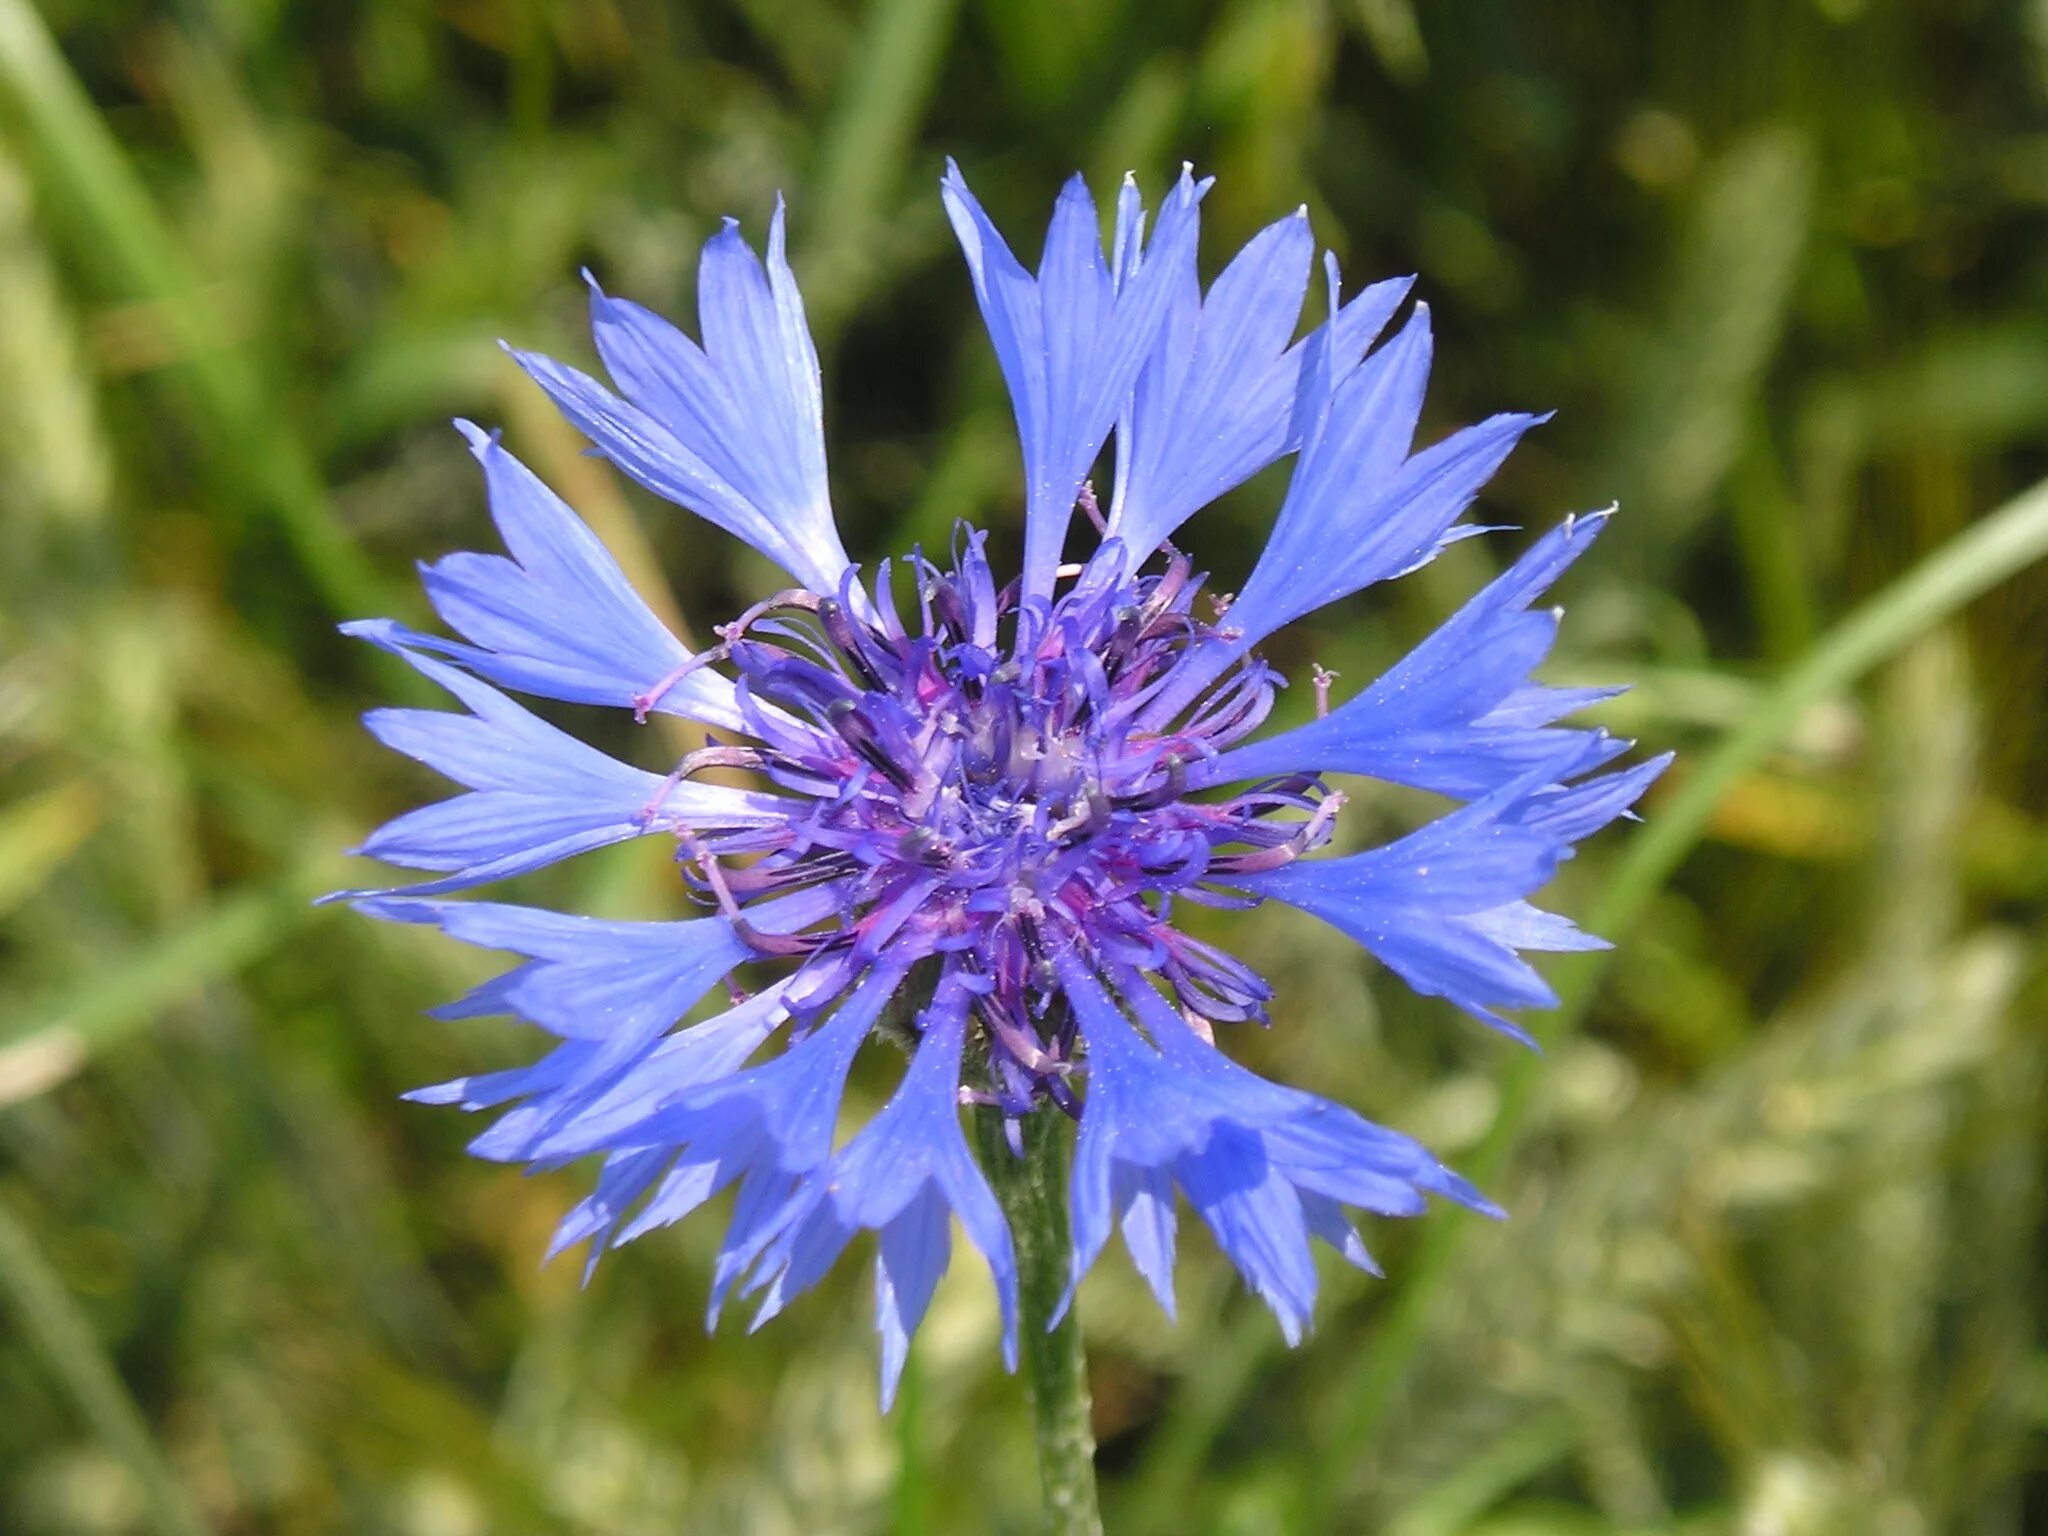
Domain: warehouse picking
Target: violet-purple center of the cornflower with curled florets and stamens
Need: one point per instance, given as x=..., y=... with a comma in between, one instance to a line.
x=988, y=783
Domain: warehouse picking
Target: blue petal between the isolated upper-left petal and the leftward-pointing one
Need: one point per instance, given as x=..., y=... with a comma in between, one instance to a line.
x=558, y=617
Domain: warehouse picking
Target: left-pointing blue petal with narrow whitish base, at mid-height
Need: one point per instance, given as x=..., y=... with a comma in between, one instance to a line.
x=538, y=796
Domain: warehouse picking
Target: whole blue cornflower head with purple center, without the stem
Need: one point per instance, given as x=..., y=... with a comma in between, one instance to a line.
x=980, y=806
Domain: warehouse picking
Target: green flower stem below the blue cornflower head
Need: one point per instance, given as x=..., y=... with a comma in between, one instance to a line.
x=1033, y=1191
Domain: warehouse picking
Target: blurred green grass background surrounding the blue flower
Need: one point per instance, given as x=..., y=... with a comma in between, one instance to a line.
x=1783, y=269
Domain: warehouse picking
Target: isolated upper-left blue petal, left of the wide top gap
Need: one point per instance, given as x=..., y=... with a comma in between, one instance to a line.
x=732, y=429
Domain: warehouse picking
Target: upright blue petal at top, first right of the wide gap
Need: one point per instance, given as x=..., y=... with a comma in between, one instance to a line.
x=1070, y=341
